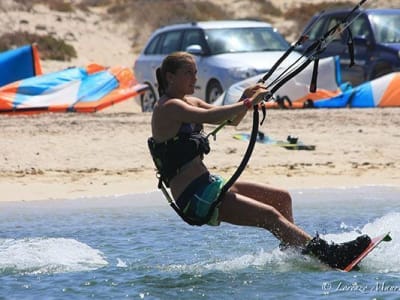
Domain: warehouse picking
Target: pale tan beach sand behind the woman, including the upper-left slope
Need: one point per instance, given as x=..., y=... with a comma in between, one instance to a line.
x=58, y=156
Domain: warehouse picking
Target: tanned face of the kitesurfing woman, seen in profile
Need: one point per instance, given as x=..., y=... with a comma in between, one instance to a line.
x=184, y=79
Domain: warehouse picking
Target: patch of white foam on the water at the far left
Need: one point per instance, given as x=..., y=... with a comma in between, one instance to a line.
x=48, y=255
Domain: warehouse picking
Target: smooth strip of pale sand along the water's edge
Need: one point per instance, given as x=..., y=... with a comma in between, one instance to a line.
x=42, y=191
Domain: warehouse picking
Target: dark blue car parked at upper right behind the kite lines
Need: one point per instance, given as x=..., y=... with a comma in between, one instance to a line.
x=376, y=36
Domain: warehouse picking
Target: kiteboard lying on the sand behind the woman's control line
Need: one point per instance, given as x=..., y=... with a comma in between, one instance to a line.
x=291, y=143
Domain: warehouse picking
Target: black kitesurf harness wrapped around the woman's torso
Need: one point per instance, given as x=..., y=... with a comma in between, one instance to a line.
x=170, y=156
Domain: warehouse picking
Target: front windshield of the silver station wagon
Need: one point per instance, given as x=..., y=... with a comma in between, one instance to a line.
x=233, y=40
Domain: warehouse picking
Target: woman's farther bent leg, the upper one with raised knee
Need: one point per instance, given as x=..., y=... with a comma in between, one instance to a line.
x=279, y=199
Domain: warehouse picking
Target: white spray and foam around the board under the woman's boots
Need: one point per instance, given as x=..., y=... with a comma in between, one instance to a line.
x=384, y=259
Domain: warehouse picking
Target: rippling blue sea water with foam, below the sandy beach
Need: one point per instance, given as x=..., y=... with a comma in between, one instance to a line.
x=136, y=247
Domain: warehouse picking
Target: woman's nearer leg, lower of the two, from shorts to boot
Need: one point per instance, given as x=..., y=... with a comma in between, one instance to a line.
x=241, y=210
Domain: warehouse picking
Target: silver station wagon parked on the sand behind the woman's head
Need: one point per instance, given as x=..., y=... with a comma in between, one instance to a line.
x=226, y=52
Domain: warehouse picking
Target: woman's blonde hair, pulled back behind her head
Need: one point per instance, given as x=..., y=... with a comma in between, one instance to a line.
x=171, y=64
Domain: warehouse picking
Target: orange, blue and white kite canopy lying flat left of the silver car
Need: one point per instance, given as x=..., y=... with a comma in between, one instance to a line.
x=88, y=89
